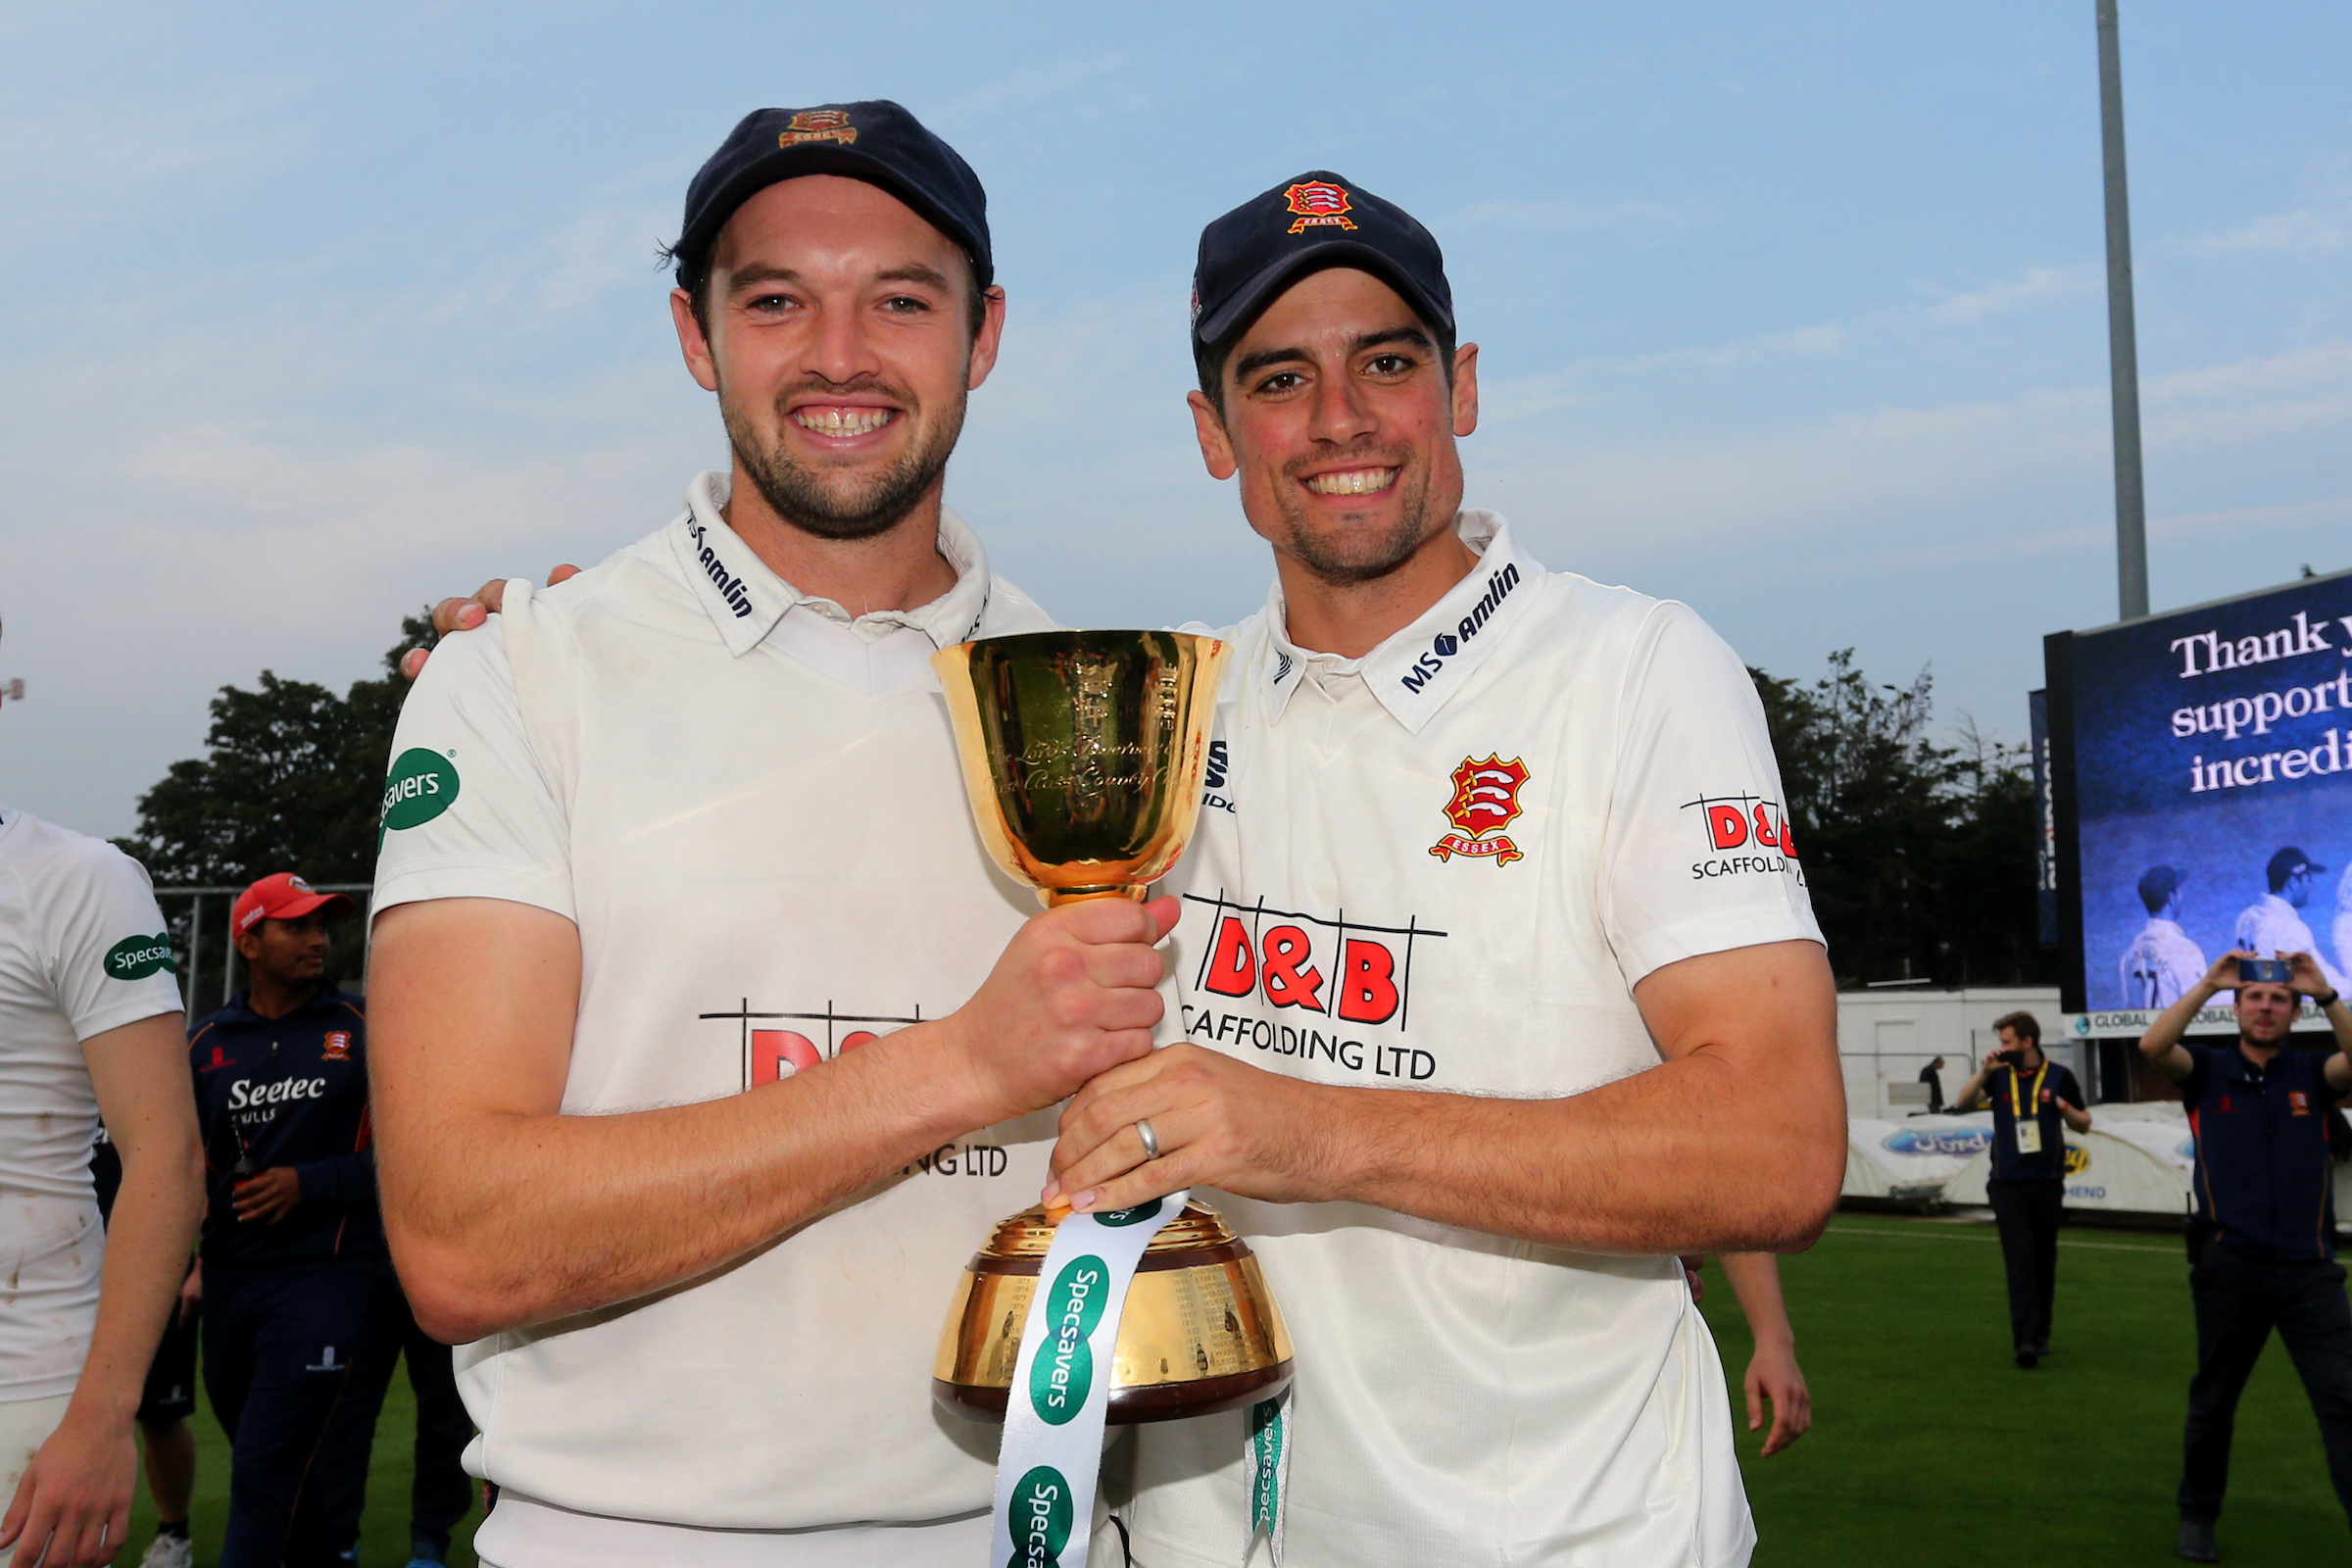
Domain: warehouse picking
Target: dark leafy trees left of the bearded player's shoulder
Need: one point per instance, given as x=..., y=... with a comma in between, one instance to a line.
x=293, y=779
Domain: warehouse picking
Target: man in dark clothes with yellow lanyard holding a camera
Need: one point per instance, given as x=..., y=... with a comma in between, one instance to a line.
x=2033, y=1104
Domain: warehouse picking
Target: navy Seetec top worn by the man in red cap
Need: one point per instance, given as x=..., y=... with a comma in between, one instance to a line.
x=288, y=1092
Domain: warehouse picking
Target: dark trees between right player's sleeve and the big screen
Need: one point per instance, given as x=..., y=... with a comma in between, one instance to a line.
x=1920, y=857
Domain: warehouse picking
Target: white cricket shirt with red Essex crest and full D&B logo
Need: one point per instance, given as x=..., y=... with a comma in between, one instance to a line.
x=1445, y=866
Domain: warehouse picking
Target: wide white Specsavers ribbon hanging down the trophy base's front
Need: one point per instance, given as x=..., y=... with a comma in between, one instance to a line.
x=1062, y=1386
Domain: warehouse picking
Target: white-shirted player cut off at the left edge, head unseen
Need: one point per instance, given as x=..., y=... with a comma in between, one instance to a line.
x=91, y=1026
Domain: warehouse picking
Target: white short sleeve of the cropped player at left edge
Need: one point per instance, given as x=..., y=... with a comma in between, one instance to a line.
x=112, y=953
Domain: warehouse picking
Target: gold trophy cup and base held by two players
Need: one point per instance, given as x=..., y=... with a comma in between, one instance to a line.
x=1083, y=756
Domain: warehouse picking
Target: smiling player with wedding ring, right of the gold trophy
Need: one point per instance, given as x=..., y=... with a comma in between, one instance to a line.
x=1396, y=1221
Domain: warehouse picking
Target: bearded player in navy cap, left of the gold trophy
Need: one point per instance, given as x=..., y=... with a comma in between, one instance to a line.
x=836, y=295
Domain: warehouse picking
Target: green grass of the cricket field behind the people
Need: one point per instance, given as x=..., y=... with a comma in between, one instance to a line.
x=1927, y=1445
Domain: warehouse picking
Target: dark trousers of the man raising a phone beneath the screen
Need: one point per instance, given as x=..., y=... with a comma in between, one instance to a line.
x=2238, y=1304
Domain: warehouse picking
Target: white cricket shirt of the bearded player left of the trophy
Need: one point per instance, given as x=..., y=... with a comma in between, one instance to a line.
x=749, y=805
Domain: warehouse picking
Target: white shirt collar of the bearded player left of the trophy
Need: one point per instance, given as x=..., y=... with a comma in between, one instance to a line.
x=744, y=598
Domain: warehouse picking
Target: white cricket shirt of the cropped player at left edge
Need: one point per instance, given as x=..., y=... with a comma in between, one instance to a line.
x=83, y=951
